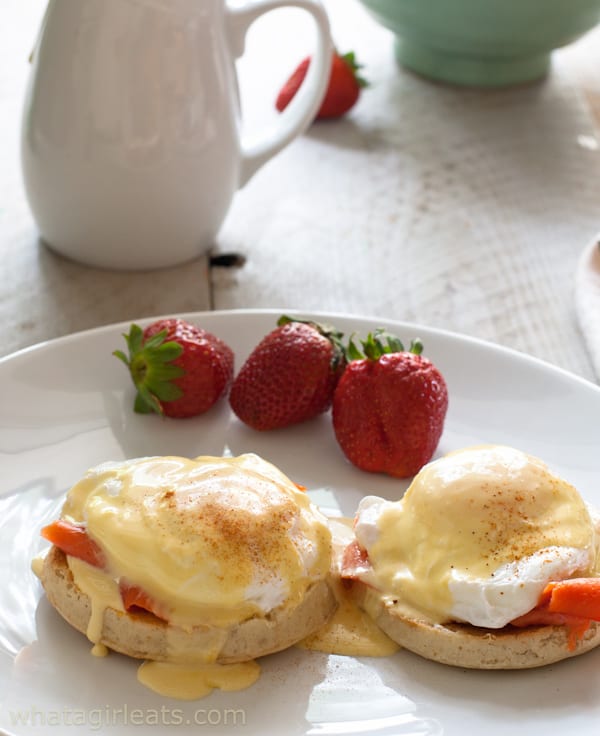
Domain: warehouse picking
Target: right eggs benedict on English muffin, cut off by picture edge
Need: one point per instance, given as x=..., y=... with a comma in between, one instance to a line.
x=470, y=566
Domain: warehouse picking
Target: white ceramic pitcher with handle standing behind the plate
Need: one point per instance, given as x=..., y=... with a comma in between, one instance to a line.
x=131, y=140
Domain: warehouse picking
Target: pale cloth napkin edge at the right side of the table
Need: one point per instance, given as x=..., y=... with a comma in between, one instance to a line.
x=587, y=299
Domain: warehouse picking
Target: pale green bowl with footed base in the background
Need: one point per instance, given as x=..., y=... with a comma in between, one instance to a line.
x=485, y=43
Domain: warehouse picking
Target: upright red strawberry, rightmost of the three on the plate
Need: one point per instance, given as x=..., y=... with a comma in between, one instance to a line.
x=389, y=406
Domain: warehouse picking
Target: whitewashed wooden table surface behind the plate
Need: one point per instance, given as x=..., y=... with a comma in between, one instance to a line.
x=456, y=208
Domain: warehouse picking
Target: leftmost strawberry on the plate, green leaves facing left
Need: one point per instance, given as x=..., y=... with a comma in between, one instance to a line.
x=179, y=370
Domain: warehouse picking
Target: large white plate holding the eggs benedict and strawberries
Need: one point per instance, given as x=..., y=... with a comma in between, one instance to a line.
x=66, y=405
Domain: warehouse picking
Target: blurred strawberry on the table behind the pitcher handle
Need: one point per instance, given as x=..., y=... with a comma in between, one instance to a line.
x=342, y=92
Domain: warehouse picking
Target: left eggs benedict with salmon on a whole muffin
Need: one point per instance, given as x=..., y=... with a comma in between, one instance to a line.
x=189, y=561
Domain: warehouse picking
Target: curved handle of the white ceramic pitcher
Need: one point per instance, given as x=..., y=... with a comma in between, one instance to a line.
x=301, y=111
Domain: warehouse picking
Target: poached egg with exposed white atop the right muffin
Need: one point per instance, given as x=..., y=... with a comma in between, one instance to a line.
x=477, y=536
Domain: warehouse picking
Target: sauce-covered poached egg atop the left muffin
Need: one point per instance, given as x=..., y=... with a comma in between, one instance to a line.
x=213, y=540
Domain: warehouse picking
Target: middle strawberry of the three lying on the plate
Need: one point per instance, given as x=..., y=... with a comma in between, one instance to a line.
x=290, y=376
